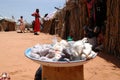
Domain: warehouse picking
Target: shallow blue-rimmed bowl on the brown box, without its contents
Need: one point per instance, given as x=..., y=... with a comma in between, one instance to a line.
x=57, y=63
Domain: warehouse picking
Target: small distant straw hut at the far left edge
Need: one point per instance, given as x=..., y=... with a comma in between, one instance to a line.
x=7, y=25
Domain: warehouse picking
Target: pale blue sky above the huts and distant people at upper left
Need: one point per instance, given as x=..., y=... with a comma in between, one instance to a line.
x=25, y=8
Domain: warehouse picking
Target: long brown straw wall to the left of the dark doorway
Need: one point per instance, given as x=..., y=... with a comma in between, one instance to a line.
x=67, y=21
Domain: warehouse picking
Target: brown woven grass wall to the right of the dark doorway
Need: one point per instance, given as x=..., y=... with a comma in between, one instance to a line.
x=112, y=37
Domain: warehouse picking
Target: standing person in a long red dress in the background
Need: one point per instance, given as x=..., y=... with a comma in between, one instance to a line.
x=37, y=22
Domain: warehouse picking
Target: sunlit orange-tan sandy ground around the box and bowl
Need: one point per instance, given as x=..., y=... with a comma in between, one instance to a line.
x=14, y=62
